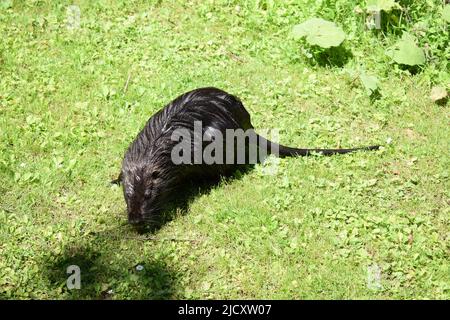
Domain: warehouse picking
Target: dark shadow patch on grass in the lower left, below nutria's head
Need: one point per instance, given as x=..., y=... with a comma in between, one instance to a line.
x=101, y=277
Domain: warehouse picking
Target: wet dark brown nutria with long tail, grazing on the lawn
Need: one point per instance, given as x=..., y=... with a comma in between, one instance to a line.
x=151, y=170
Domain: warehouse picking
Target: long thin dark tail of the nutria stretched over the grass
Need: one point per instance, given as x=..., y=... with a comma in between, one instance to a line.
x=284, y=151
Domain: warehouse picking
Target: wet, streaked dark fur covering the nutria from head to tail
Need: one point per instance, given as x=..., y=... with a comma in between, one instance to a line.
x=149, y=177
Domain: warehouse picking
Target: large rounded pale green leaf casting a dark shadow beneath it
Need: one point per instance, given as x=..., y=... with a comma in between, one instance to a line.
x=319, y=32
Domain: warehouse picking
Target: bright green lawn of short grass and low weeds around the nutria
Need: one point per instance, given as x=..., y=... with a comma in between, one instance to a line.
x=310, y=231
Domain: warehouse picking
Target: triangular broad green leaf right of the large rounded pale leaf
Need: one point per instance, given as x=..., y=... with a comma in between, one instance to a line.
x=407, y=52
